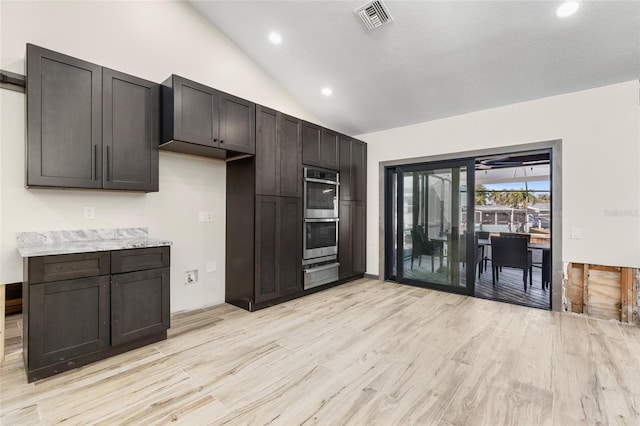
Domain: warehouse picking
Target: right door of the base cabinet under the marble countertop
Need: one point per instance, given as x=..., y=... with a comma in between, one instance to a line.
x=139, y=305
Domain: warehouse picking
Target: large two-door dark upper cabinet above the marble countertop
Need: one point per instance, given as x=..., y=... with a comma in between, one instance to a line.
x=88, y=126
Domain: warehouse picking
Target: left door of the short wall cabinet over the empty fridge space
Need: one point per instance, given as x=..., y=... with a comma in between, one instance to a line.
x=195, y=112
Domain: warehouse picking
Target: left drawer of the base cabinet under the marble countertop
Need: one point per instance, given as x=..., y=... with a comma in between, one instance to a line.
x=44, y=269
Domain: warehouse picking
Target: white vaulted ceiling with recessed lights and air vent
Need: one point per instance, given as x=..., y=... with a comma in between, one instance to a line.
x=435, y=59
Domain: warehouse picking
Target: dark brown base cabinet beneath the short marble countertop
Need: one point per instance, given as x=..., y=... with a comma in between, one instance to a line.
x=80, y=308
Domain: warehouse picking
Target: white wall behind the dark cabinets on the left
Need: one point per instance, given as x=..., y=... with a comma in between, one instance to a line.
x=151, y=40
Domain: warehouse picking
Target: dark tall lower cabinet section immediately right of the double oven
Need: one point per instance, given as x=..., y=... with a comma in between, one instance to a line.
x=351, y=239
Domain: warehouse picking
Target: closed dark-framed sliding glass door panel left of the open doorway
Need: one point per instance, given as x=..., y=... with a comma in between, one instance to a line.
x=430, y=228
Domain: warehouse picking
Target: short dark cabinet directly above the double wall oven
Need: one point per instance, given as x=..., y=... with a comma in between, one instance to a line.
x=320, y=147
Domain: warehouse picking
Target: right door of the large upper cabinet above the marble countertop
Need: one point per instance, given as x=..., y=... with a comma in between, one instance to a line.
x=131, y=126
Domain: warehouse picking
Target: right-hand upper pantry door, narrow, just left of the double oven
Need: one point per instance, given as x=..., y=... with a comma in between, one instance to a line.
x=290, y=155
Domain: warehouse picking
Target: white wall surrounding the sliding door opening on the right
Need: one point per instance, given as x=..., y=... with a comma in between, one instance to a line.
x=600, y=133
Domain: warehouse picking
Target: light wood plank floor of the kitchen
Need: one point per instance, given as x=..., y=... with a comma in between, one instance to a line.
x=364, y=353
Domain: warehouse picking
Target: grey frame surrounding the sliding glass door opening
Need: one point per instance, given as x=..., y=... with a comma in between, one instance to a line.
x=555, y=149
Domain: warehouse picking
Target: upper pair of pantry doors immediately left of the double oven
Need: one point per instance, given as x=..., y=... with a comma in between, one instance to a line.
x=278, y=153
